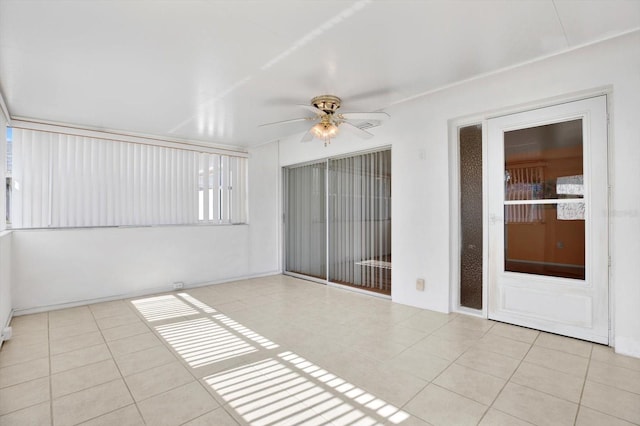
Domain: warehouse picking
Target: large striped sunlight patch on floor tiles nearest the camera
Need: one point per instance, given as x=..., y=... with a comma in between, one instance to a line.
x=291, y=390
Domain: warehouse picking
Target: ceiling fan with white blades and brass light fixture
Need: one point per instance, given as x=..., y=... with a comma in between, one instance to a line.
x=328, y=121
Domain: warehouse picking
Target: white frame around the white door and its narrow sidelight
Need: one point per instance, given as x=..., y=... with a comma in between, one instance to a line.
x=455, y=233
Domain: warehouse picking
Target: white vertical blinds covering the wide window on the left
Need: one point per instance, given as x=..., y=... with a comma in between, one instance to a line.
x=65, y=180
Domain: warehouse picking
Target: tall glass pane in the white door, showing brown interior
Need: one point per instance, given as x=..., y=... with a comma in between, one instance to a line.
x=545, y=163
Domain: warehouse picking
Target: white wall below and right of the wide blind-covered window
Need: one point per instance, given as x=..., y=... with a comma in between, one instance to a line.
x=53, y=268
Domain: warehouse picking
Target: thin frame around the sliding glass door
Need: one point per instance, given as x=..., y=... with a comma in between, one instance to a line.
x=285, y=201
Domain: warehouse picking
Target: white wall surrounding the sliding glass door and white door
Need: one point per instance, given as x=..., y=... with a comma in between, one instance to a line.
x=418, y=134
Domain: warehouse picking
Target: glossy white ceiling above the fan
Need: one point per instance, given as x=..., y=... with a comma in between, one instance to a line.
x=214, y=70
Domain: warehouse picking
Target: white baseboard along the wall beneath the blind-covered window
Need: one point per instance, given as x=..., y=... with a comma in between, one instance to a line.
x=145, y=292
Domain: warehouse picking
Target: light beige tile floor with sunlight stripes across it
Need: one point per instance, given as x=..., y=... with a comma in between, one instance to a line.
x=278, y=350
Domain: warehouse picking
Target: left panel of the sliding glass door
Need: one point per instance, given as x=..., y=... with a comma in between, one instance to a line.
x=305, y=220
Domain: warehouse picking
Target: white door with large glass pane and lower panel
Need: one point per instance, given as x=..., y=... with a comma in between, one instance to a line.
x=548, y=219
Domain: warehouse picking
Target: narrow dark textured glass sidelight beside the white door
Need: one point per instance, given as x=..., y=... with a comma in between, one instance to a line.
x=471, y=217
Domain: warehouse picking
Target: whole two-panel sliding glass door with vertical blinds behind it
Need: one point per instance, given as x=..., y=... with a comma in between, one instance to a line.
x=357, y=202
